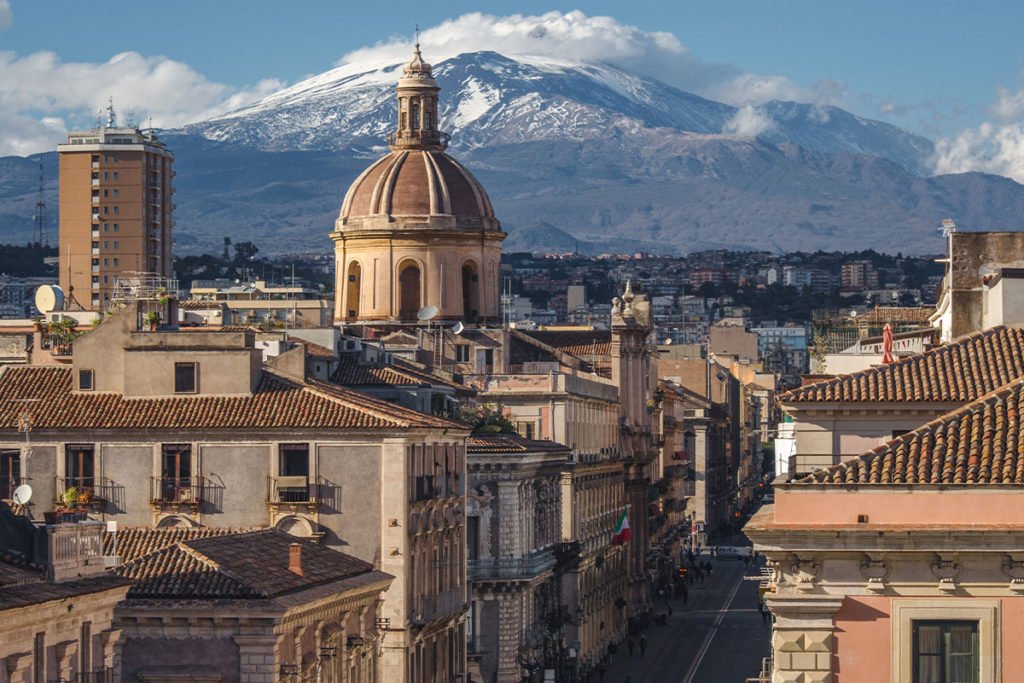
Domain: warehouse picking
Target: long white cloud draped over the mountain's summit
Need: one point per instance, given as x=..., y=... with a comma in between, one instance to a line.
x=575, y=36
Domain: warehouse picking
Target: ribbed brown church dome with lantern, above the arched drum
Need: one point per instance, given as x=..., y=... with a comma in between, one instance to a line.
x=417, y=186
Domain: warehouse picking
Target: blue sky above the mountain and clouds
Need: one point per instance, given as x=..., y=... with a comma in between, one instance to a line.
x=940, y=68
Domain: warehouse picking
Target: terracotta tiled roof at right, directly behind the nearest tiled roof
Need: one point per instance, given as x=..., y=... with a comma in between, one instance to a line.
x=959, y=372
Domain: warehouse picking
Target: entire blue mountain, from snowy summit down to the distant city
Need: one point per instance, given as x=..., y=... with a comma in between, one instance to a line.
x=571, y=154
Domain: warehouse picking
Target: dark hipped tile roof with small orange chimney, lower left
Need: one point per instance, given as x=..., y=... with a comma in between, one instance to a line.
x=253, y=565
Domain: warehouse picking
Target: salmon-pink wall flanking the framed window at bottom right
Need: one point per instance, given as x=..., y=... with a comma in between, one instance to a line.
x=864, y=639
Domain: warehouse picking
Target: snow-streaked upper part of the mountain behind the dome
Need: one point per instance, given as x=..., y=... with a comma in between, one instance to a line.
x=489, y=100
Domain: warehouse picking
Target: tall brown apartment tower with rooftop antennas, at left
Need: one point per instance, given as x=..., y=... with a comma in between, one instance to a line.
x=116, y=210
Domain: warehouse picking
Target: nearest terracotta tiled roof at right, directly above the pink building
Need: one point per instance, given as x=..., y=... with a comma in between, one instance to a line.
x=979, y=444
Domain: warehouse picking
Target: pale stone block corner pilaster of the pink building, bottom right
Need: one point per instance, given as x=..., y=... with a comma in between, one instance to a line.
x=802, y=637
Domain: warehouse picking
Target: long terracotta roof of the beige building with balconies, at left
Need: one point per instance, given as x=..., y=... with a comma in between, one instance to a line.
x=278, y=403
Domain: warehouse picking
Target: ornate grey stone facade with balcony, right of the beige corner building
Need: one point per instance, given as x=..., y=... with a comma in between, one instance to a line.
x=515, y=518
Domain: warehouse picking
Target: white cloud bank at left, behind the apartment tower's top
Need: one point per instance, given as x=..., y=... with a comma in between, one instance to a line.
x=42, y=97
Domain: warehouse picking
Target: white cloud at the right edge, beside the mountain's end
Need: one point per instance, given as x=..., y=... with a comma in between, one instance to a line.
x=990, y=148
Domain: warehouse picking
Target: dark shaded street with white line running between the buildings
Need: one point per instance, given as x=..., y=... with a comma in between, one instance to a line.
x=718, y=637
